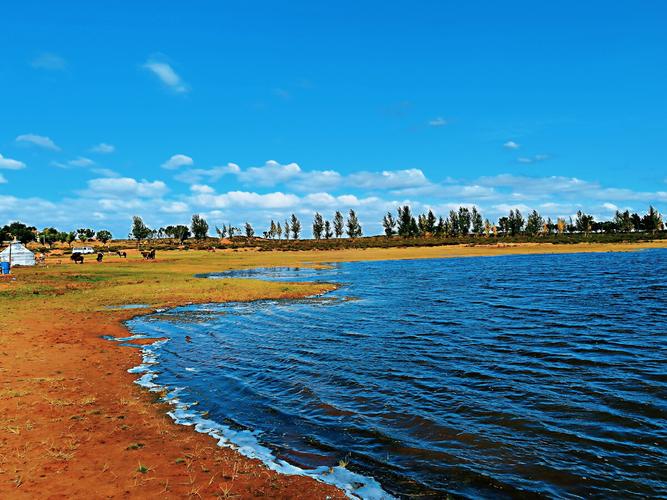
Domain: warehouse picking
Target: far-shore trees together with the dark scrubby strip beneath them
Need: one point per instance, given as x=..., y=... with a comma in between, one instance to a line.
x=402, y=229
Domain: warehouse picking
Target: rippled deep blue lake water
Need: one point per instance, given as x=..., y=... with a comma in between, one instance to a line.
x=540, y=375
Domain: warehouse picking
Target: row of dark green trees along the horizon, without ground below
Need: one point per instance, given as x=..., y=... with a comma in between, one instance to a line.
x=458, y=223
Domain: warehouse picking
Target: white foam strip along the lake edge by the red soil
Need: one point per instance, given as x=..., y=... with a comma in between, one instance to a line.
x=246, y=442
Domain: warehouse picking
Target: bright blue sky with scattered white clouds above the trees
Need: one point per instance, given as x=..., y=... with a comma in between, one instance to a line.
x=253, y=110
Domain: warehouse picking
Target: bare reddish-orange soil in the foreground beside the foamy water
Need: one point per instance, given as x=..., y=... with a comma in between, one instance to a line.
x=74, y=425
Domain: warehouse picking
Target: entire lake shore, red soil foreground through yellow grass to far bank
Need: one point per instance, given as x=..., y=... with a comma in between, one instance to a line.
x=72, y=418
